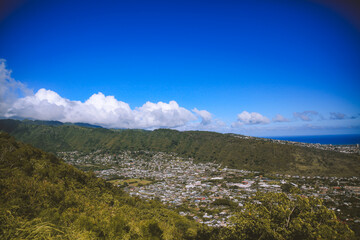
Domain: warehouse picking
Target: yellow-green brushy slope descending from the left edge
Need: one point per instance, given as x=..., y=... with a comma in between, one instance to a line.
x=44, y=198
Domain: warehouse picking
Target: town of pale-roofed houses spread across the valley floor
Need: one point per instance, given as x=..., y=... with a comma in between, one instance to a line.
x=209, y=192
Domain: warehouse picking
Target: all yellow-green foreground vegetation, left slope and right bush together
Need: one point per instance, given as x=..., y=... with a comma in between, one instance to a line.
x=44, y=198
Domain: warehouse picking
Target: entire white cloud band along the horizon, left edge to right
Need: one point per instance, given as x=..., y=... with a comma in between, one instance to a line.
x=17, y=101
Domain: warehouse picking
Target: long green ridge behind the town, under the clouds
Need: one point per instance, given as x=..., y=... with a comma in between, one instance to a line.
x=230, y=150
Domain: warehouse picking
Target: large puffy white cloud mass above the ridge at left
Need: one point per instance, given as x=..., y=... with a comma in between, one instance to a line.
x=18, y=101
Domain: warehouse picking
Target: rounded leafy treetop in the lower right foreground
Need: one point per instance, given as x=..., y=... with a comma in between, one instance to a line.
x=276, y=216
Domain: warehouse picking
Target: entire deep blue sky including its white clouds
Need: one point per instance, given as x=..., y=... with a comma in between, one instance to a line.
x=261, y=68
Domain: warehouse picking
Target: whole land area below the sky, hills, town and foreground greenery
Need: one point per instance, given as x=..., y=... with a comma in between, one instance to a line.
x=206, y=185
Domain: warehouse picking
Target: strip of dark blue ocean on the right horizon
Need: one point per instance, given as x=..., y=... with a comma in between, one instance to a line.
x=346, y=139
